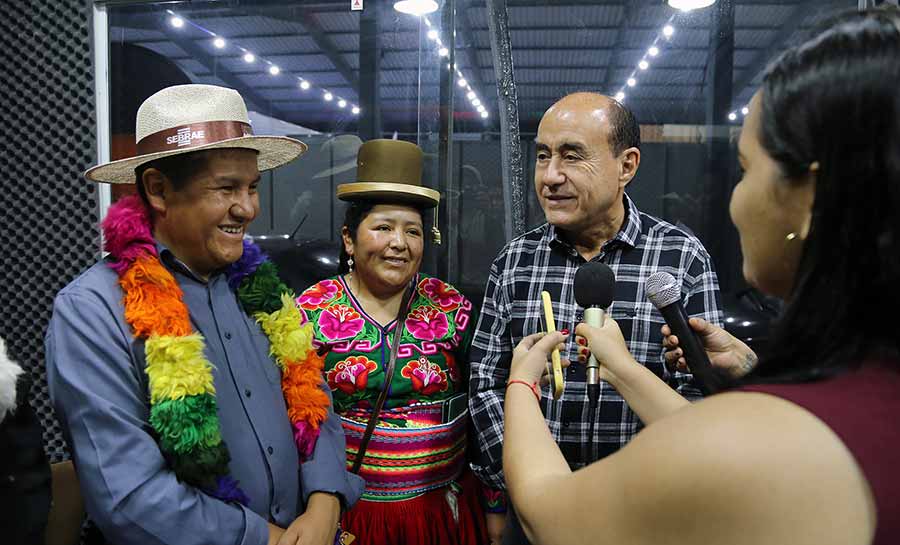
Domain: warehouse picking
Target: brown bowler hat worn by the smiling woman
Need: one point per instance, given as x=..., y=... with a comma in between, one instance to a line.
x=389, y=171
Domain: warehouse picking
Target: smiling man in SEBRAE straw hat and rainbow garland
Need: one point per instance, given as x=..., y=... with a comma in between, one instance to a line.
x=188, y=391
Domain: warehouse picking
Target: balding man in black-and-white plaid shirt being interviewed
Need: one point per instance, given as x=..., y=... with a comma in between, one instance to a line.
x=587, y=152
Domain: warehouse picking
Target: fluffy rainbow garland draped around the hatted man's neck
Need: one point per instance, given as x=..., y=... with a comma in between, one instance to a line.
x=182, y=395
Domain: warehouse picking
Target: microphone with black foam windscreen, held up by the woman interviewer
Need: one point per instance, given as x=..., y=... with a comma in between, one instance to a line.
x=594, y=285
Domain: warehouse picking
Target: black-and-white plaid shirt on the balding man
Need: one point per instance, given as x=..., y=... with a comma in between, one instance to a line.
x=541, y=260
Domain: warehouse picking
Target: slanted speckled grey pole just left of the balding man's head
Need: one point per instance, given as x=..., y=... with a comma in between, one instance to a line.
x=510, y=146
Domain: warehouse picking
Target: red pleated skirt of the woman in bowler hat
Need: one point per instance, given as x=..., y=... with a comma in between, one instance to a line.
x=427, y=519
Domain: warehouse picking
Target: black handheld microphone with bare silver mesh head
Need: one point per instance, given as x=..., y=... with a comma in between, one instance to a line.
x=665, y=294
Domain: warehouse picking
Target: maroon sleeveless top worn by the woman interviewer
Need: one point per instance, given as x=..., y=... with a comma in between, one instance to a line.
x=862, y=408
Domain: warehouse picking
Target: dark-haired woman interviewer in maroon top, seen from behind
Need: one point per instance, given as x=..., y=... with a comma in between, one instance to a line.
x=804, y=450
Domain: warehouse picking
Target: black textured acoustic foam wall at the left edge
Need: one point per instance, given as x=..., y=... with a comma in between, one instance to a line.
x=48, y=212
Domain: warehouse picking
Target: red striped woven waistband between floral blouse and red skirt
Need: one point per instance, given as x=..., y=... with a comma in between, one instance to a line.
x=400, y=463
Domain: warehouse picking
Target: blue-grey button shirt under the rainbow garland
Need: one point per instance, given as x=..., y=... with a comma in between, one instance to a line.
x=95, y=370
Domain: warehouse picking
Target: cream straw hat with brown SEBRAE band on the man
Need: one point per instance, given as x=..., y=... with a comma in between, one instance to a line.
x=189, y=118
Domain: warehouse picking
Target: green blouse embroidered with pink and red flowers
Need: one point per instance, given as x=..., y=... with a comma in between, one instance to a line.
x=434, y=345
